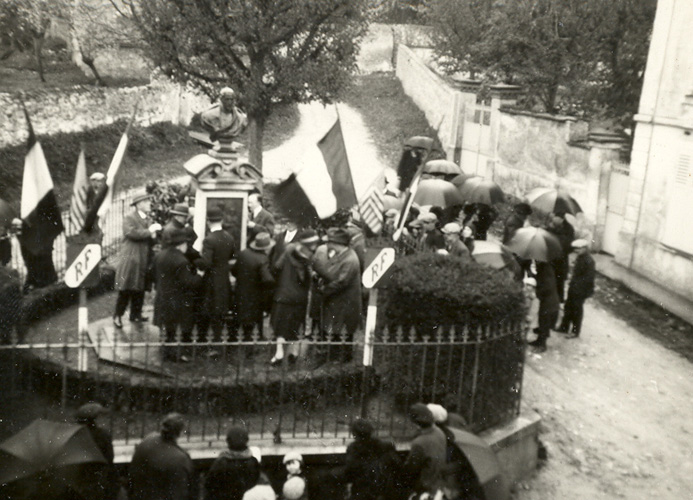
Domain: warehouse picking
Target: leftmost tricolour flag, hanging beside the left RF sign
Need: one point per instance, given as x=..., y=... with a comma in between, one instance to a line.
x=39, y=208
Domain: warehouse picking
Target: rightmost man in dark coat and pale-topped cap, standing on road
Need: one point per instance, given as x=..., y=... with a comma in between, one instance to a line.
x=580, y=289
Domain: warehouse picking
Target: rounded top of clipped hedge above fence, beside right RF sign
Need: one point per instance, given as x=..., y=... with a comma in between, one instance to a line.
x=428, y=290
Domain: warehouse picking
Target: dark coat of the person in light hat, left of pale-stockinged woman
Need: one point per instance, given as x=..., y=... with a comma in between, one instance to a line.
x=253, y=285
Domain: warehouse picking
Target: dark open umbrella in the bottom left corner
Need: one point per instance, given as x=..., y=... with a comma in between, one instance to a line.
x=51, y=453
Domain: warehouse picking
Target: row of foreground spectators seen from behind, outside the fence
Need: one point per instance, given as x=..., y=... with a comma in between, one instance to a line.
x=372, y=469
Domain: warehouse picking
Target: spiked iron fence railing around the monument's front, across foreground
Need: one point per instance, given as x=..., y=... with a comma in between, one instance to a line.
x=475, y=372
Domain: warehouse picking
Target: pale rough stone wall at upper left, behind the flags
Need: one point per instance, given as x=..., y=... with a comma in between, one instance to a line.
x=86, y=107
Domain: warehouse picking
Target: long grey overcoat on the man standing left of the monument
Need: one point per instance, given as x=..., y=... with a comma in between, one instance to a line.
x=133, y=260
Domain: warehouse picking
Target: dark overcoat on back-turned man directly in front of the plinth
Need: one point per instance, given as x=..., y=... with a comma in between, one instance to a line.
x=217, y=250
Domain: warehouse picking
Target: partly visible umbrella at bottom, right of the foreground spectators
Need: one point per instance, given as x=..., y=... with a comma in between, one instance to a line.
x=485, y=464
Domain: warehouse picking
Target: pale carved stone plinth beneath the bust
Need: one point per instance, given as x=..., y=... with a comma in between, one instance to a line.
x=223, y=179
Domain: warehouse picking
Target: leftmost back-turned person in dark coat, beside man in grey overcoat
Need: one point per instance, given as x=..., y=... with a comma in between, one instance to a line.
x=176, y=286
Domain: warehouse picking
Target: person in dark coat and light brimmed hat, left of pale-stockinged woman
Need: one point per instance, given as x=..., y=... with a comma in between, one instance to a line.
x=253, y=284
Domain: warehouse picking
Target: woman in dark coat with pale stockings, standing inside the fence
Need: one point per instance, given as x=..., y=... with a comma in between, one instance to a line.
x=291, y=293
